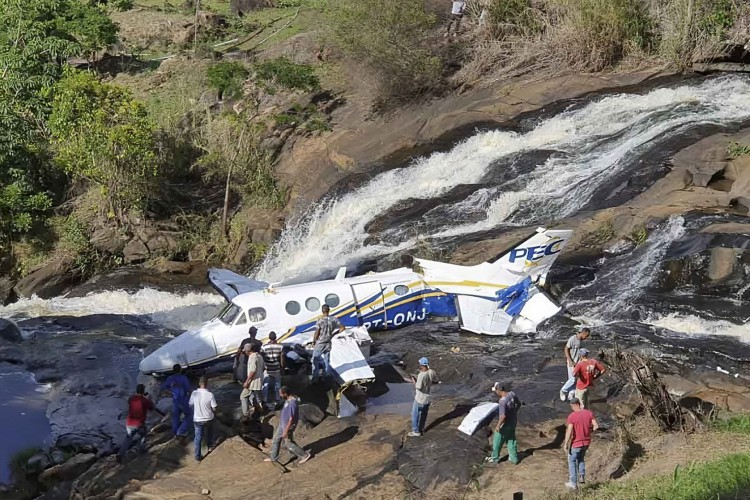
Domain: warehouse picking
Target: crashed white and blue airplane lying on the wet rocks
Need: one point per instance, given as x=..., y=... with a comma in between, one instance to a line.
x=490, y=298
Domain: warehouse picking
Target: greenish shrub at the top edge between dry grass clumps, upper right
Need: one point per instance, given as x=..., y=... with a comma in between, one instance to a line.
x=601, y=32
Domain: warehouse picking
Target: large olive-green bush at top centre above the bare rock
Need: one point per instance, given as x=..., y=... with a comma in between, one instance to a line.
x=393, y=37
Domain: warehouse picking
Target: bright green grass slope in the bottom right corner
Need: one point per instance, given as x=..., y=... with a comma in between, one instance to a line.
x=727, y=477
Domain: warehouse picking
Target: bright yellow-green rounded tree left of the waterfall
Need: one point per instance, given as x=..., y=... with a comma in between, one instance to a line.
x=102, y=135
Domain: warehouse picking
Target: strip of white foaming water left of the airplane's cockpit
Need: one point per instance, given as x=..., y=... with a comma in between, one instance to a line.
x=164, y=308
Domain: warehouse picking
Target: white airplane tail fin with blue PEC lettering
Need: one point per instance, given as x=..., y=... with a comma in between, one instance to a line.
x=532, y=257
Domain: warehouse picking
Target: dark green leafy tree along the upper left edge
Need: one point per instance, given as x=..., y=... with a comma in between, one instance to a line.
x=36, y=38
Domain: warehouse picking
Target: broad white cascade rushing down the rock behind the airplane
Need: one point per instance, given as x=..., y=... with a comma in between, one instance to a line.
x=594, y=142
